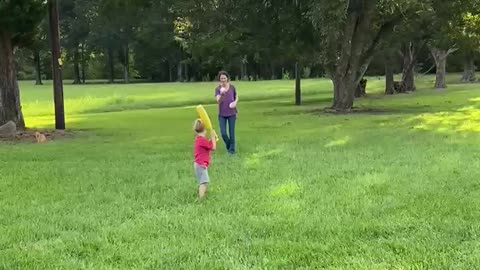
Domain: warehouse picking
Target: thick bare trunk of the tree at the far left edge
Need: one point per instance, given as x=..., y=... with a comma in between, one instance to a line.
x=10, y=108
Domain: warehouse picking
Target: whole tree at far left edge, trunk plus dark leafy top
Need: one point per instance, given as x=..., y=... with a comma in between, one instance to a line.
x=18, y=22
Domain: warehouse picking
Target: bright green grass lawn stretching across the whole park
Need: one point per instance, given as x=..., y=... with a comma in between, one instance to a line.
x=395, y=189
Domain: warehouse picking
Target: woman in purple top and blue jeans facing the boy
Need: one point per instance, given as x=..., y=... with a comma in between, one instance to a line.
x=227, y=100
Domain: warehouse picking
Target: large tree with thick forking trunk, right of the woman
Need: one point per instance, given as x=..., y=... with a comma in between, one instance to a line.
x=350, y=32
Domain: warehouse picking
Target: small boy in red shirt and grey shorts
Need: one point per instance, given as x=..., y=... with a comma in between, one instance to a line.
x=201, y=151
